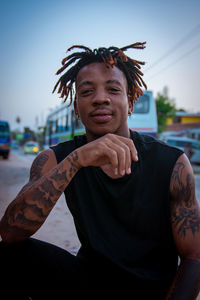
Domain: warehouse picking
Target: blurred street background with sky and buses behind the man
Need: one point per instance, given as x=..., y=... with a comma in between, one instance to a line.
x=34, y=38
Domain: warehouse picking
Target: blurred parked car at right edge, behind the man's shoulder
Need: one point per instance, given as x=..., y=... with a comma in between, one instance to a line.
x=191, y=147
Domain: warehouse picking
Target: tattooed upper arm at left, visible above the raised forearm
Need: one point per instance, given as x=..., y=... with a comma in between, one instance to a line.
x=43, y=163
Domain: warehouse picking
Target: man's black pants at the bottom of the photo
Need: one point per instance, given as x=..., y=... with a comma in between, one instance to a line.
x=38, y=270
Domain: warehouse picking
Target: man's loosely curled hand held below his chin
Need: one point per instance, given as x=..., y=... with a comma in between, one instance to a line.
x=113, y=150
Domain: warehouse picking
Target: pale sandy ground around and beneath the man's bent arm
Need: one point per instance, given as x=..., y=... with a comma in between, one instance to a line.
x=59, y=227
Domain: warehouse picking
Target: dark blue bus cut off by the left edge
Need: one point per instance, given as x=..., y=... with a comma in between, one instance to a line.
x=5, y=139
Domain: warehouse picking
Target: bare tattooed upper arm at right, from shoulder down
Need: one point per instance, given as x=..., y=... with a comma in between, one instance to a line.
x=185, y=210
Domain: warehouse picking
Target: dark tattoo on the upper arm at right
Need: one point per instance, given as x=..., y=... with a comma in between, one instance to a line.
x=185, y=214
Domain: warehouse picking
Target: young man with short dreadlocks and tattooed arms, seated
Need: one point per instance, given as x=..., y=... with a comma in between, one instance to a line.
x=131, y=196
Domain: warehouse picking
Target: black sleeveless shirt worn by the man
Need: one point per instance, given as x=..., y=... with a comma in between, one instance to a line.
x=127, y=220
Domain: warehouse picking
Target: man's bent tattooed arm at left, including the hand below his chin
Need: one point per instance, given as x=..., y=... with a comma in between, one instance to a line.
x=25, y=215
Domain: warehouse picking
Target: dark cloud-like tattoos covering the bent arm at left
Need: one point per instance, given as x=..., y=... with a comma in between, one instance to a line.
x=34, y=202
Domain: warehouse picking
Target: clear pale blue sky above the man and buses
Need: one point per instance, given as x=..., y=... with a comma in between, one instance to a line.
x=34, y=37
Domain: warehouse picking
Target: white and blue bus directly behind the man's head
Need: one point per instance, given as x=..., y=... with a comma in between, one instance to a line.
x=62, y=124
